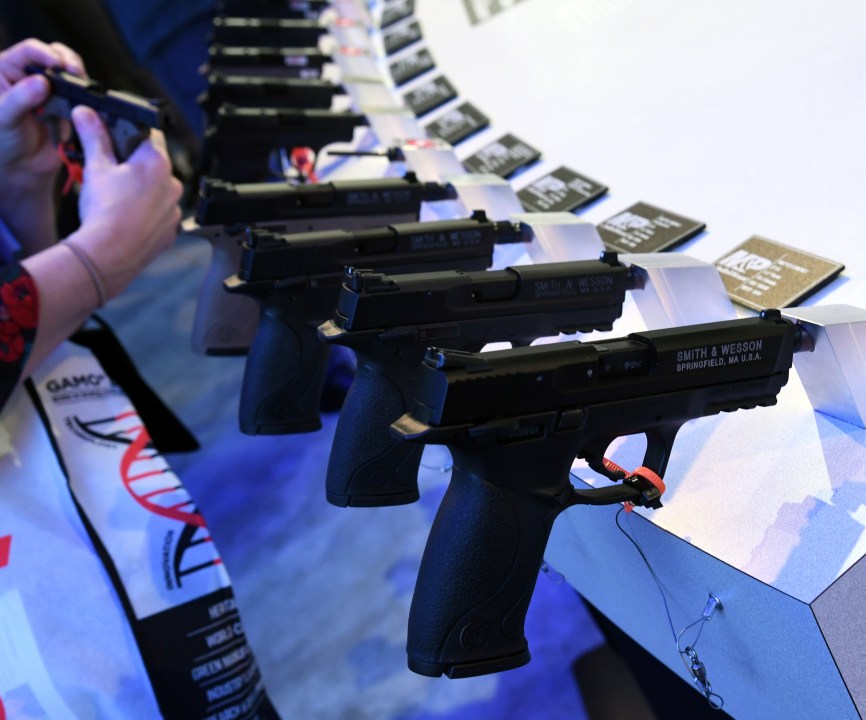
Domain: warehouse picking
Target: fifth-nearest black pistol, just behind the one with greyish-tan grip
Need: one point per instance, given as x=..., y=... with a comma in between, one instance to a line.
x=240, y=143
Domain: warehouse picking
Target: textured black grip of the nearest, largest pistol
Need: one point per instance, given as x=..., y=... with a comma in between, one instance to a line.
x=476, y=578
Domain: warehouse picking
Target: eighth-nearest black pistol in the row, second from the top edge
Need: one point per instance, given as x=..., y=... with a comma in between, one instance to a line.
x=266, y=32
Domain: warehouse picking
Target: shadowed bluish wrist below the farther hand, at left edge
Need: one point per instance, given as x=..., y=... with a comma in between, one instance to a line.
x=30, y=216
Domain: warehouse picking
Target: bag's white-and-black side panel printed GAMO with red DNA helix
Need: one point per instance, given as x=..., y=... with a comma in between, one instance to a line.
x=154, y=544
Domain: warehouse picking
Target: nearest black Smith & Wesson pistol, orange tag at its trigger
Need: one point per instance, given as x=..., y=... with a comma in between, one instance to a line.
x=514, y=421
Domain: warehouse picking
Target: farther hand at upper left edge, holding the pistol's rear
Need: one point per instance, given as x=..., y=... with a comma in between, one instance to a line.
x=27, y=157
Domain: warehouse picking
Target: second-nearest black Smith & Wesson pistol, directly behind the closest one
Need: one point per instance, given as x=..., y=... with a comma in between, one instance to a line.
x=390, y=321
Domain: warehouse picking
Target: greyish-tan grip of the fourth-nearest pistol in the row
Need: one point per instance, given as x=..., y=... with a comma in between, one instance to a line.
x=225, y=323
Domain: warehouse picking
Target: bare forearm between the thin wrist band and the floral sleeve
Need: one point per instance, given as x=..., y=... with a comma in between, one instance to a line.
x=67, y=296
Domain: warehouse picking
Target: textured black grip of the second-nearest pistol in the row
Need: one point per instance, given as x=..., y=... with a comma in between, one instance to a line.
x=368, y=467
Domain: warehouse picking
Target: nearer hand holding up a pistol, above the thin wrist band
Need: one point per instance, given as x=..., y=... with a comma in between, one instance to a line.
x=129, y=211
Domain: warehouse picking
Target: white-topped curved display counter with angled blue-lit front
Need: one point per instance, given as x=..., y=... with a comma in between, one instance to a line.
x=748, y=118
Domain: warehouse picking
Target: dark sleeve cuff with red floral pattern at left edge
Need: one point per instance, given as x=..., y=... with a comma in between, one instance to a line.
x=19, y=314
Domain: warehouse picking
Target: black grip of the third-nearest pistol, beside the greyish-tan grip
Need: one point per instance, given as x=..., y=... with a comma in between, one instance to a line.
x=283, y=377
